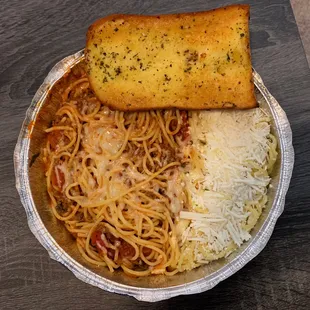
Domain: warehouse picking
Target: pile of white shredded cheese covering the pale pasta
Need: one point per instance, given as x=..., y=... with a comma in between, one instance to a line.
x=233, y=146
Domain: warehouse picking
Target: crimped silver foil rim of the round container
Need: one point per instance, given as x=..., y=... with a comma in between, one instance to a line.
x=36, y=225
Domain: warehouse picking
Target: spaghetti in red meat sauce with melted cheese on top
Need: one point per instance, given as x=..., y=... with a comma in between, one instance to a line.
x=107, y=178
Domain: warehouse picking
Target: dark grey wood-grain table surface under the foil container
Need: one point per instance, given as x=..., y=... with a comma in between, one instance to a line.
x=34, y=35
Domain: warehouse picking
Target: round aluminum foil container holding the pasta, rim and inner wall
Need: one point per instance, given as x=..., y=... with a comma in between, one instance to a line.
x=30, y=183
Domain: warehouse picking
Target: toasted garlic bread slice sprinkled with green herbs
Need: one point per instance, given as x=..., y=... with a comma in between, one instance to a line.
x=188, y=61
